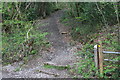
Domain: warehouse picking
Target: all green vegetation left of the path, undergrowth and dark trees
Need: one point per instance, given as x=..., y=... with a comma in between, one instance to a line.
x=20, y=35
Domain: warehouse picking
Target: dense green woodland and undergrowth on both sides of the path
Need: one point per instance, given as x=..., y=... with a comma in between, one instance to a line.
x=90, y=23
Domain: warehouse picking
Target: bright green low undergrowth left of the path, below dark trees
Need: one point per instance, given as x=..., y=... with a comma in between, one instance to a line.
x=22, y=42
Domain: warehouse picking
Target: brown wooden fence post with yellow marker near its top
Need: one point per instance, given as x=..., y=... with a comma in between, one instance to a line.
x=100, y=59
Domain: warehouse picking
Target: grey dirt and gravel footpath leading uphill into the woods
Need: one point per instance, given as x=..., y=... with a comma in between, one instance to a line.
x=61, y=53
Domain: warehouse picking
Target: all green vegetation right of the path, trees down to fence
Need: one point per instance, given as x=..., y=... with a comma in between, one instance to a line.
x=90, y=23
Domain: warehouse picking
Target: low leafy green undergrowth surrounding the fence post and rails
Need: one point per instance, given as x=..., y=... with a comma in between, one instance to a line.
x=87, y=66
